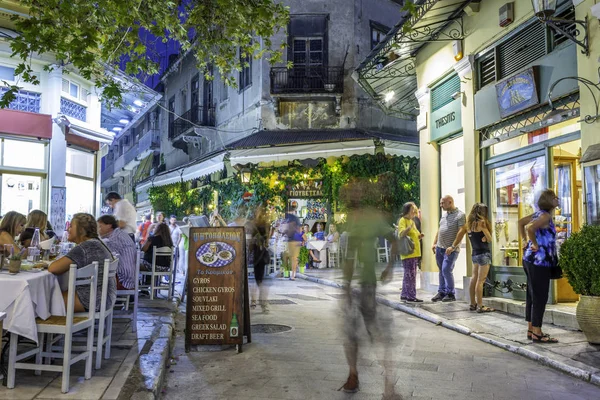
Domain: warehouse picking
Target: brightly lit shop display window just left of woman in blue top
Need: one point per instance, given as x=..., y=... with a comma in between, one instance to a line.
x=513, y=190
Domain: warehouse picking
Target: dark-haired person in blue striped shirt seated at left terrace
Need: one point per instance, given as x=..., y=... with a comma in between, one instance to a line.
x=119, y=242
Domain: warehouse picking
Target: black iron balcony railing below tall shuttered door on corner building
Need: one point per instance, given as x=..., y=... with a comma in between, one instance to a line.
x=307, y=80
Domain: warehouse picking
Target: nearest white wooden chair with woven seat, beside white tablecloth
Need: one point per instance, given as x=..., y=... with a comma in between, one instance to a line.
x=66, y=326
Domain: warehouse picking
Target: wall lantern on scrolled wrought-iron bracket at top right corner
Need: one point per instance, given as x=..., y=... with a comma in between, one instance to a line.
x=545, y=9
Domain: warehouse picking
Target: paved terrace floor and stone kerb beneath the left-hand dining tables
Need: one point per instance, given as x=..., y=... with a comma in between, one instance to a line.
x=134, y=369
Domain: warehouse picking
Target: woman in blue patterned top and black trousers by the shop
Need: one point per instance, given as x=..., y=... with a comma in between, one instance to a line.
x=539, y=258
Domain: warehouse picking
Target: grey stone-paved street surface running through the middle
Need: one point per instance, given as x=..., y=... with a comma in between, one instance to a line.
x=307, y=362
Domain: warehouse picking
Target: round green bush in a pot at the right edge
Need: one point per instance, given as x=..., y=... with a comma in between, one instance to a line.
x=579, y=256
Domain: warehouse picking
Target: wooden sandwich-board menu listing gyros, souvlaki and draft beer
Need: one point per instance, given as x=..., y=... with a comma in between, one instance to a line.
x=218, y=311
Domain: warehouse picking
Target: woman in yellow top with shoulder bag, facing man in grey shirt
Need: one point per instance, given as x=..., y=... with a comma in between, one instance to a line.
x=407, y=233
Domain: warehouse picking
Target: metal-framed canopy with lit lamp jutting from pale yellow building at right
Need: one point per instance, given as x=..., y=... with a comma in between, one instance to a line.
x=388, y=74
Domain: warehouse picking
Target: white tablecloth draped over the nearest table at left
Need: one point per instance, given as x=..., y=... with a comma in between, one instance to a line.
x=28, y=295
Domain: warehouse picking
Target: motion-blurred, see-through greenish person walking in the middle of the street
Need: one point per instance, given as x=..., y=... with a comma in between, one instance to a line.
x=365, y=225
